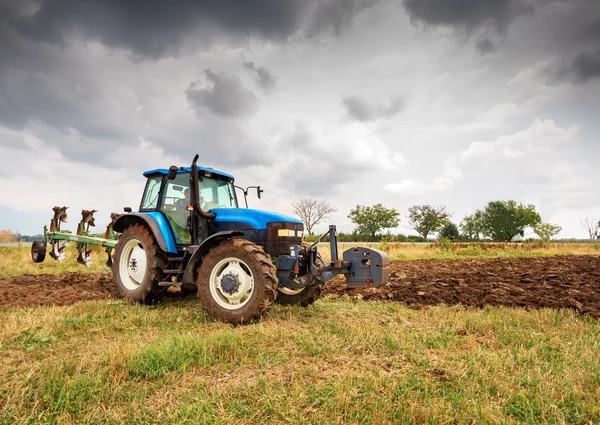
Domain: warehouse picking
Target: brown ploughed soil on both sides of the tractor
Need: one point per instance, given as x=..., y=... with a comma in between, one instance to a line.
x=555, y=282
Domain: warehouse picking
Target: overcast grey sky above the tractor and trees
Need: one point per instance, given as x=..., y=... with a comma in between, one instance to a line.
x=454, y=102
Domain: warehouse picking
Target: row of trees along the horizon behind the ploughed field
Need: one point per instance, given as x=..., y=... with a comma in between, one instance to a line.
x=499, y=221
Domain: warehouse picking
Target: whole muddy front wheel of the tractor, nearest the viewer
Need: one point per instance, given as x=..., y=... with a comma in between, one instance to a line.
x=236, y=281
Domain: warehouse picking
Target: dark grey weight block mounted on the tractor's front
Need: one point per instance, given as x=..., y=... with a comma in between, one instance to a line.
x=370, y=267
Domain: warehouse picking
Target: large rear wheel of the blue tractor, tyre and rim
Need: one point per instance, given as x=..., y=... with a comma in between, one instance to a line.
x=137, y=266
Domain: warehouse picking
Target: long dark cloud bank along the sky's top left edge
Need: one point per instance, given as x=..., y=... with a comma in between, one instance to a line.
x=156, y=29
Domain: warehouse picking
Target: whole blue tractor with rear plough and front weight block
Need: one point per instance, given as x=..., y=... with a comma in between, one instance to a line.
x=191, y=233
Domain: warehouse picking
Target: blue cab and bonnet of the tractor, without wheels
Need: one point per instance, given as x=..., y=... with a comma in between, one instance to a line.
x=170, y=195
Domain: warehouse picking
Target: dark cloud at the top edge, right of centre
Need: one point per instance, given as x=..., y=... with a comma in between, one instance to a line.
x=468, y=15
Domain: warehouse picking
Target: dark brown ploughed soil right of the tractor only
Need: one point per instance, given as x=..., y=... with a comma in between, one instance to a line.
x=552, y=282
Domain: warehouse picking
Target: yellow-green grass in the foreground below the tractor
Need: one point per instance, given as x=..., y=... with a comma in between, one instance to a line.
x=340, y=361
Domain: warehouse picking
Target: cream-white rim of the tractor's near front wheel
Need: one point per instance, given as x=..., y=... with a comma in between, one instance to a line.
x=231, y=283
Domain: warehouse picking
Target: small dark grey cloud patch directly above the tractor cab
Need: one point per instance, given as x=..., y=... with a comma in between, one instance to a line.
x=225, y=96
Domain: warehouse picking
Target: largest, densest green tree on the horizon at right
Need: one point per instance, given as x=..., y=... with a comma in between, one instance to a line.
x=503, y=220
